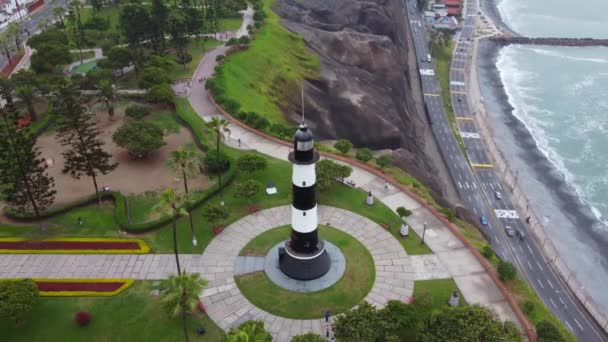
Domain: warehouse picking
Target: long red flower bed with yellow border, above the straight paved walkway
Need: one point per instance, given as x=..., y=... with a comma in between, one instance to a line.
x=73, y=246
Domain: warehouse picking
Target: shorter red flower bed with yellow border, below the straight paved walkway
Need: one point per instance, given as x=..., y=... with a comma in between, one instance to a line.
x=82, y=287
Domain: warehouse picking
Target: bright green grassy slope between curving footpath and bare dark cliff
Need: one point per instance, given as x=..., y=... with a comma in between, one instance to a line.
x=262, y=78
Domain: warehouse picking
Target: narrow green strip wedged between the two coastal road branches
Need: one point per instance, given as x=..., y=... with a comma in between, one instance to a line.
x=442, y=56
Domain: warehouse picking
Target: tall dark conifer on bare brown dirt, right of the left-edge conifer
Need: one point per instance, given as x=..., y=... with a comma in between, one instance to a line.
x=77, y=131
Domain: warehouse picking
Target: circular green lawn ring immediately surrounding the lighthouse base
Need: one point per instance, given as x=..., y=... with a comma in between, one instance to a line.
x=350, y=290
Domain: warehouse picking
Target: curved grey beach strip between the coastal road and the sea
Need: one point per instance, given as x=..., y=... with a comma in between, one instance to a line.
x=551, y=196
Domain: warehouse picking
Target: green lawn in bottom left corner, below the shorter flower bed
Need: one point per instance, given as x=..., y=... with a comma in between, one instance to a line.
x=134, y=315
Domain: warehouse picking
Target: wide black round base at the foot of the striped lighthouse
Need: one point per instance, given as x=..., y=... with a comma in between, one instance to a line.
x=304, y=266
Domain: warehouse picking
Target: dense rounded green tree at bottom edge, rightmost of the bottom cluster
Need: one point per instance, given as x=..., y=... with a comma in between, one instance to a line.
x=467, y=323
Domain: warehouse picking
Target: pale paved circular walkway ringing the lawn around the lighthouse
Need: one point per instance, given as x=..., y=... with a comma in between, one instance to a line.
x=227, y=306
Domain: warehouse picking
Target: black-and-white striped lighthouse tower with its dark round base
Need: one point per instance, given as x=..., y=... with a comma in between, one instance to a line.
x=303, y=256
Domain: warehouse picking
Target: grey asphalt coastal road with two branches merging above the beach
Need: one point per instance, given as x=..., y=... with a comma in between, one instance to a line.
x=477, y=181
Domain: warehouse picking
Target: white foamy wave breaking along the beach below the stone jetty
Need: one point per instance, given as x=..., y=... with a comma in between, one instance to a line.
x=519, y=95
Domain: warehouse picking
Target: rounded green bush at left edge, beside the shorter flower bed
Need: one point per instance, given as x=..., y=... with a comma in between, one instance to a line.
x=18, y=297
